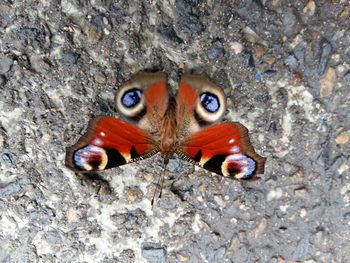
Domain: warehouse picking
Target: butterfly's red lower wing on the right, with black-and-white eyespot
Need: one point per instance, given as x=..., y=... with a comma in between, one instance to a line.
x=224, y=149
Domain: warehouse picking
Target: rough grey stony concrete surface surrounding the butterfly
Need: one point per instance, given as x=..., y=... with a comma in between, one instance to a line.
x=285, y=67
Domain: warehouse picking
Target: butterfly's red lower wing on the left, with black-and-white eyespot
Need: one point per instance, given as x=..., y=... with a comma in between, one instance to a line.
x=109, y=142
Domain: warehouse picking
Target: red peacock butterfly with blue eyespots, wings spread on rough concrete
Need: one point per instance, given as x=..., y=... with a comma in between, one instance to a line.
x=188, y=124
